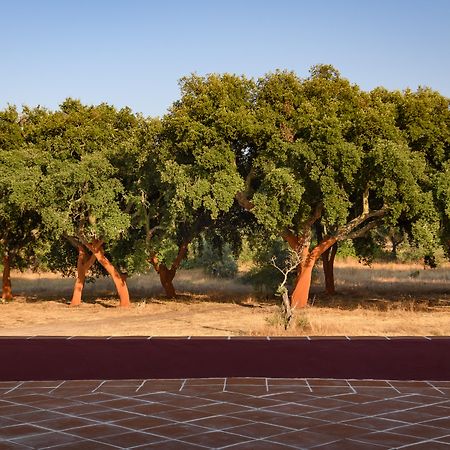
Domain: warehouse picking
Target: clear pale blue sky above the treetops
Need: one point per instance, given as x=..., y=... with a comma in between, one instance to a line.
x=132, y=52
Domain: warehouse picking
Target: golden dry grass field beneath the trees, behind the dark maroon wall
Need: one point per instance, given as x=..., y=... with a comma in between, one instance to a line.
x=385, y=299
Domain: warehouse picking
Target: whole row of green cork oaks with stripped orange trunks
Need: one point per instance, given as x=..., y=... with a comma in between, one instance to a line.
x=315, y=161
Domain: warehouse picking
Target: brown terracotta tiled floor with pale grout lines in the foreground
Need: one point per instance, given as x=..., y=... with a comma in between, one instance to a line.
x=233, y=413
